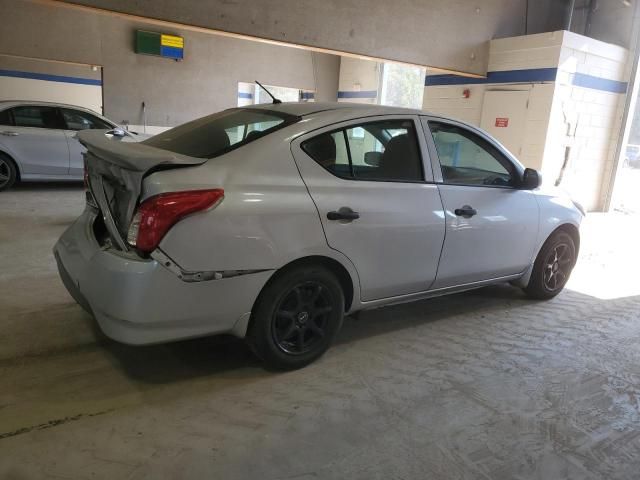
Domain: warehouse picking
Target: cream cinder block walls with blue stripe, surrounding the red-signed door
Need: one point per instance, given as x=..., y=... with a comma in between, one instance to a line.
x=576, y=91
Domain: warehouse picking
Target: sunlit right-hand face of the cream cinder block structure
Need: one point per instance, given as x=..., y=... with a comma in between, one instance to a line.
x=586, y=117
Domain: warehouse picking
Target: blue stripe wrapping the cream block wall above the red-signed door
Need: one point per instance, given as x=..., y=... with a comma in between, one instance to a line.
x=529, y=76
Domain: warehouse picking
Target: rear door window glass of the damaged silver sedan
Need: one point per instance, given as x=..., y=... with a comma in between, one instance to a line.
x=381, y=151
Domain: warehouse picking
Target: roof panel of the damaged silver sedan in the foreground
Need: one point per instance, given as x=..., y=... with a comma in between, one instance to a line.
x=302, y=109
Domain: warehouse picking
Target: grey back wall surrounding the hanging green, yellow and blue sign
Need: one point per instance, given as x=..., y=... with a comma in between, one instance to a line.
x=174, y=92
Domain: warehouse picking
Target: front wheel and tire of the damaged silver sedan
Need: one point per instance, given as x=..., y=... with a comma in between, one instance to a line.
x=552, y=267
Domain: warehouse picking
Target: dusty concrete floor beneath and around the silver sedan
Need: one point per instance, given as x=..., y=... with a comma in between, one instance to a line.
x=484, y=385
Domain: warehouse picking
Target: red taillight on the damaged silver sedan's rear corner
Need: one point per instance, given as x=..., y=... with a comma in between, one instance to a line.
x=156, y=215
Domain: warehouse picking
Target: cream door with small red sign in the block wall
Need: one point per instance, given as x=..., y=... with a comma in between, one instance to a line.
x=504, y=116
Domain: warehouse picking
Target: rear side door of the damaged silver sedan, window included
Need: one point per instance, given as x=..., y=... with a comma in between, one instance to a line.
x=367, y=179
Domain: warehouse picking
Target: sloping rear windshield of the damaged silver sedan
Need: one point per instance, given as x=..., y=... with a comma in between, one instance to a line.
x=221, y=132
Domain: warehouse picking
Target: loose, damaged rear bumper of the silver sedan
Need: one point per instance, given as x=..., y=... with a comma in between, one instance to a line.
x=140, y=301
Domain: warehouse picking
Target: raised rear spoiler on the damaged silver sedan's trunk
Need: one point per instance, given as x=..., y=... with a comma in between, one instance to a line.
x=133, y=156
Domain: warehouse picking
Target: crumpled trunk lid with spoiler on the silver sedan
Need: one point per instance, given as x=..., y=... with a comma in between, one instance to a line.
x=115, y=171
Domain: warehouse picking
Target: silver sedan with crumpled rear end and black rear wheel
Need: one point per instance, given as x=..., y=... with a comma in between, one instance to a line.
x=272, y=222
